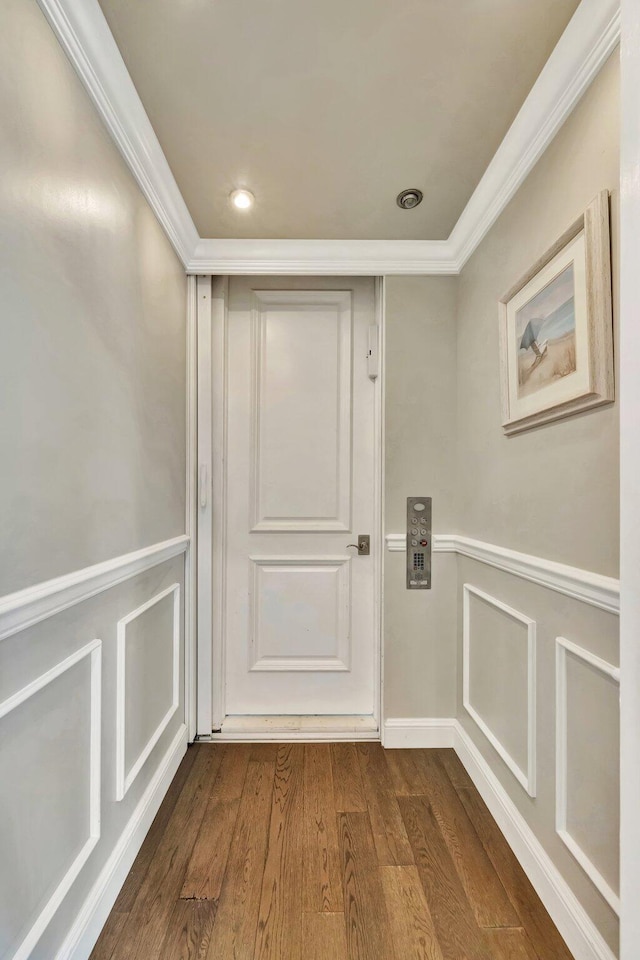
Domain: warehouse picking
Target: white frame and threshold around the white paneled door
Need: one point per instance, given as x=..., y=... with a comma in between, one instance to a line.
x=212, y=336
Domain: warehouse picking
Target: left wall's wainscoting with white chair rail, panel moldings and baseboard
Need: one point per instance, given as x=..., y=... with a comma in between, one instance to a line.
x=92, y=730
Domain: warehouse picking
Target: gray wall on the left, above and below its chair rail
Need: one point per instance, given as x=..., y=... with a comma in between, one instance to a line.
x=92, y=432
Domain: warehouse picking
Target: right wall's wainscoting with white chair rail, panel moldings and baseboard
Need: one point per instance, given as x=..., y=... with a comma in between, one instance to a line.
x=537, y=724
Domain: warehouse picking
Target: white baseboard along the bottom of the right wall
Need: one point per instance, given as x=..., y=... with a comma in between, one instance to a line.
x=578, y=930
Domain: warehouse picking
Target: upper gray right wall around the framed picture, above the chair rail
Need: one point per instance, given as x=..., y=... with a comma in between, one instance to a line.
x=552, y=492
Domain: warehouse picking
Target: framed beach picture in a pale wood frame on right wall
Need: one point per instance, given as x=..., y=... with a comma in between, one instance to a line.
x=556, y=328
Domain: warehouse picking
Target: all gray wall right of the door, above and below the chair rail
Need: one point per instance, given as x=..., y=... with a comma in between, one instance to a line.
x=550, y=492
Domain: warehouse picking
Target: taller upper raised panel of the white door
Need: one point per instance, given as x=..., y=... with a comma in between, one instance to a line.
x=301, y=458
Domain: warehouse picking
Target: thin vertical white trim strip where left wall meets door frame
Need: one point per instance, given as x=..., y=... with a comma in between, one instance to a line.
x=191, y=517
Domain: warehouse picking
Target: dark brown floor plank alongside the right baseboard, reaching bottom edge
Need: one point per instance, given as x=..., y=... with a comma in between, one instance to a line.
x=540, y=928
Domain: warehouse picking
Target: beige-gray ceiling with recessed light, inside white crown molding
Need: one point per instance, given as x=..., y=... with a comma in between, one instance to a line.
x=326, y=109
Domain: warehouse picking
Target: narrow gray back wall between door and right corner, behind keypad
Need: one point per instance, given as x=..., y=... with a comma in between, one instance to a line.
x=420, y=421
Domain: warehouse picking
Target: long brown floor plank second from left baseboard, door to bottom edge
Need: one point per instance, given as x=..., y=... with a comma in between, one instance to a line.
x=147, y=923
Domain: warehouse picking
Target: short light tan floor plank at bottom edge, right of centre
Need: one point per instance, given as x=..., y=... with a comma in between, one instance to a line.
x=412, y=930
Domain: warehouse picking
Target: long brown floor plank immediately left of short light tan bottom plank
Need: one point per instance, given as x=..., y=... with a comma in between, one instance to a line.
x=367, y=926
